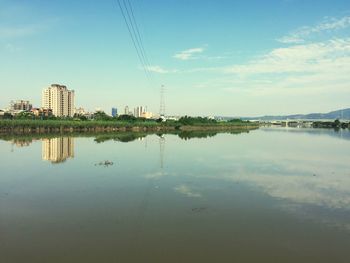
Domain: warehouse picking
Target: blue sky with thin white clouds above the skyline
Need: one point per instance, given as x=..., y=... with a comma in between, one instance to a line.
x=222, y=58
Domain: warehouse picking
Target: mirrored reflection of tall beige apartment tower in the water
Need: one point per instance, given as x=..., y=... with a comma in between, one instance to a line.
x=57, y=150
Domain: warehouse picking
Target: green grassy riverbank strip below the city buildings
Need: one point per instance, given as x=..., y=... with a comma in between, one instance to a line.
x=70, y=126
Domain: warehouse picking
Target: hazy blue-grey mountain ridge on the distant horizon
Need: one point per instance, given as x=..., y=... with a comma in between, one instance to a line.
x=339, y=114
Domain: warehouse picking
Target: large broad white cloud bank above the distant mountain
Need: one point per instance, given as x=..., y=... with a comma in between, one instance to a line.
x=310, y=68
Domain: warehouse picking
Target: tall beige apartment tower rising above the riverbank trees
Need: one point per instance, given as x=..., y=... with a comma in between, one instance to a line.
x=59, y=99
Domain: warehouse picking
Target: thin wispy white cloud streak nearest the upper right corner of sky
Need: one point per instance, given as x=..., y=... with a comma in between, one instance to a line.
x=330, y=24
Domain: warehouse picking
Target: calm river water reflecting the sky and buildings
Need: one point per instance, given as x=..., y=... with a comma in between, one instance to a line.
x=271, y=195
